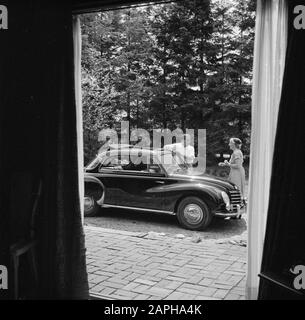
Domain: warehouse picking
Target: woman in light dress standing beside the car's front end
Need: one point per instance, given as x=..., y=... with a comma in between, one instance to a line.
x=237, y=171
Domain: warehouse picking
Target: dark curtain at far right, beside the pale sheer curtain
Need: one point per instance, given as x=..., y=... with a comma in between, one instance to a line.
x=285, y=234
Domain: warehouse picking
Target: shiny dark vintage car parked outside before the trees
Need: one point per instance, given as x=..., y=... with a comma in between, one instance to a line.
x=157, y=181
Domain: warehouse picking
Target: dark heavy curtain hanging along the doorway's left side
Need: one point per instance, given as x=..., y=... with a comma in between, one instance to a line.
x=62, y=231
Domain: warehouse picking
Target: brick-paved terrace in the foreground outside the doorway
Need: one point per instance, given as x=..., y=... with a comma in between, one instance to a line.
x=129, y=266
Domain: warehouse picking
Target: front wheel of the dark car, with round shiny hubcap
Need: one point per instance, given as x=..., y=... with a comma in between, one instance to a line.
x=194, y=214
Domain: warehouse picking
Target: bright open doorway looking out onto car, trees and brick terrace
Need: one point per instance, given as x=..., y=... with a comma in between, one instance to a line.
x=182, y=66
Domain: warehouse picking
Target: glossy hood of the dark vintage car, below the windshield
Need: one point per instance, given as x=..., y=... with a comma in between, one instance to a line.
x=206, y=179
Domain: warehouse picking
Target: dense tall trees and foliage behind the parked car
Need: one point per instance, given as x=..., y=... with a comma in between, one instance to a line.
x=186, y=64
